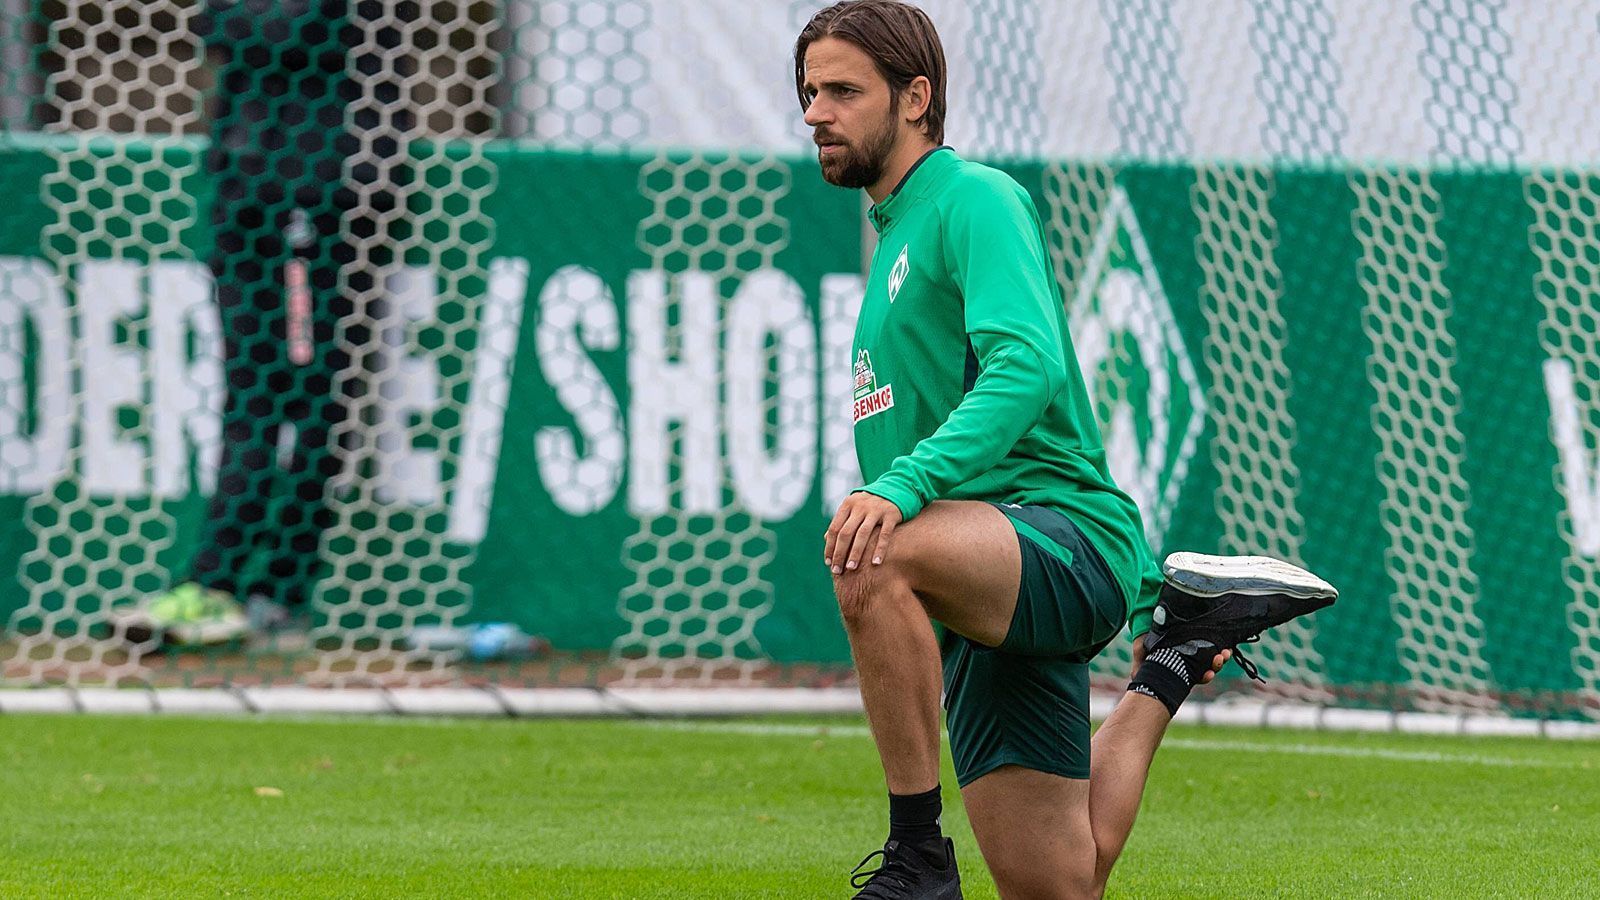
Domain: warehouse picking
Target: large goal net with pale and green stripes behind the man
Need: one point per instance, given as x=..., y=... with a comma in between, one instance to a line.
x=393, y=319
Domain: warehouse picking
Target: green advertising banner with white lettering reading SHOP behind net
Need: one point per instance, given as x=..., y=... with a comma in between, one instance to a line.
x=641, y=374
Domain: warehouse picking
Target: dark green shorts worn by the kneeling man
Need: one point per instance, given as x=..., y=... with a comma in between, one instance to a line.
x=1028, y=701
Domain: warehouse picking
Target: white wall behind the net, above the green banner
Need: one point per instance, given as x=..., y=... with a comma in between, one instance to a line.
x=1225, y=79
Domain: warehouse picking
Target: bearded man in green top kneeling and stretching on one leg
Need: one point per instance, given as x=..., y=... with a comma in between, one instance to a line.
x=990, y=507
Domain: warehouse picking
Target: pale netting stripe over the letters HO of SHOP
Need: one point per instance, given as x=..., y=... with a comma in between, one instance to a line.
x=700, y=550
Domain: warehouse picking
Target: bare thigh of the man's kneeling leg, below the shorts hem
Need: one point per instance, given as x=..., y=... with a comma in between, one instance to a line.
x=1034, y=834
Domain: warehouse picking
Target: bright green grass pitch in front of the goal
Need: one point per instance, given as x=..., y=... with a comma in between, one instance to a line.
x=434, y=808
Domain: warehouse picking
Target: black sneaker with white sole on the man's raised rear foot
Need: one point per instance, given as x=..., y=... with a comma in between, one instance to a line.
x=1217, y=603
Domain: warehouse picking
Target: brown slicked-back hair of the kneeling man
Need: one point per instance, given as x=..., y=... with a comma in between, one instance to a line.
x=902, y=42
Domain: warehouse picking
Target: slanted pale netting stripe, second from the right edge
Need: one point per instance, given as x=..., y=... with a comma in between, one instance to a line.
x=1412, y=366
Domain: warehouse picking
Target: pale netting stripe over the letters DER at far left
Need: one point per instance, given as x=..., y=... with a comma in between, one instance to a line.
x=94, y=475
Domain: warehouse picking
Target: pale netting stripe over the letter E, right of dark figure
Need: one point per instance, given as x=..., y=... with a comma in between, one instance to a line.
x=422, y=241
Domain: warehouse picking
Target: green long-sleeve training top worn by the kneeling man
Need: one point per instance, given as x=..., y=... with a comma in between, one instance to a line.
x=967, y=387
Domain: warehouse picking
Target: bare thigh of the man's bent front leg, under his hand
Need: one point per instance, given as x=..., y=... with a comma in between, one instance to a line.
x=962, y=561
